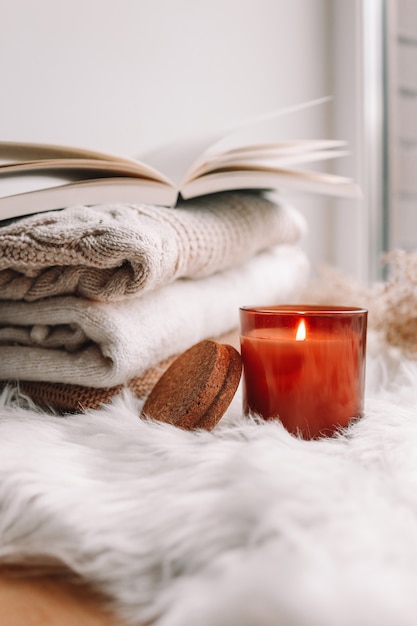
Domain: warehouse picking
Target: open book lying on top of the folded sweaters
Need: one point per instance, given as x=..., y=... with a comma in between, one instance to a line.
x=41, y=177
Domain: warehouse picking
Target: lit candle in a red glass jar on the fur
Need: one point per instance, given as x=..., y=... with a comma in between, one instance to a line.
x=304, y=365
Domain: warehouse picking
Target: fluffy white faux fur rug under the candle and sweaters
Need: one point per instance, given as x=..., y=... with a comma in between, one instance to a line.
x=244, y=526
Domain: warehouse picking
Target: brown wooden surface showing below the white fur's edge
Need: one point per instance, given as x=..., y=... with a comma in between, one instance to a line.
x=50, y=601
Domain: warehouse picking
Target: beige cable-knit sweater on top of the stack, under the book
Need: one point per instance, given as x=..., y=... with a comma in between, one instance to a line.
x=111, y=253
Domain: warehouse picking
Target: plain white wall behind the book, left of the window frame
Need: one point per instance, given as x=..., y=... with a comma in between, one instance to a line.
x=125, y=75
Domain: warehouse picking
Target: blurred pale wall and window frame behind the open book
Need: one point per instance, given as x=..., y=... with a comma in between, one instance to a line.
x=126, y=75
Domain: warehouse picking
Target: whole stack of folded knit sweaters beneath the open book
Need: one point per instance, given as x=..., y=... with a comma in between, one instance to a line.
x=95, y=299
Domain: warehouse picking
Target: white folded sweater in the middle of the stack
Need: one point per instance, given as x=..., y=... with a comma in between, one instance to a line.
x=100, y=344
